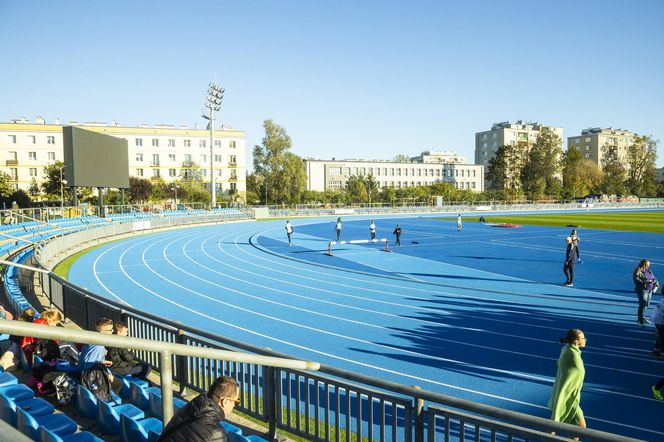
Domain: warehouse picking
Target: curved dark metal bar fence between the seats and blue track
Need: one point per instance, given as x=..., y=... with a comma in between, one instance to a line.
x=330, y=404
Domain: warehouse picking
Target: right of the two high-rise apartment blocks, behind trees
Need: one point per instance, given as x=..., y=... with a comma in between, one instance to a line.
x=601, y=144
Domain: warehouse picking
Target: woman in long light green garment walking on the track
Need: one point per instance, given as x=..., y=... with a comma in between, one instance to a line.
x=566, y=395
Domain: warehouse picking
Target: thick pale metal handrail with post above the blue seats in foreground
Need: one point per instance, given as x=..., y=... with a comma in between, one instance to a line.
x=164, y=349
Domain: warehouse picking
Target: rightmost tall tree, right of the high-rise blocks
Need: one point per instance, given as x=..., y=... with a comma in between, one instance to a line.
x=641, y=170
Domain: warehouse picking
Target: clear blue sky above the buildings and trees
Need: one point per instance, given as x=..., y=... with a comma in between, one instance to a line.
x=346, y=79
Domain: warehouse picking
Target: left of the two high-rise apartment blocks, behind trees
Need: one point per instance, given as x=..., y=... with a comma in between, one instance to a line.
x=508, y=133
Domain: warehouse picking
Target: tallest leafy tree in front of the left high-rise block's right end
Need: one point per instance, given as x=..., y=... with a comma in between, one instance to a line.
x=539, y=175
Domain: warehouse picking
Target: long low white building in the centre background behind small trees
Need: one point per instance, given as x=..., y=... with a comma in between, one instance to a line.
x=333, y=174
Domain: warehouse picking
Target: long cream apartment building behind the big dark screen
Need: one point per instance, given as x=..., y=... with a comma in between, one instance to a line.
x=155, y=152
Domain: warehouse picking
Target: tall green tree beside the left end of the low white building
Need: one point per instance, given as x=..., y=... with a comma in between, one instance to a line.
x=279, y=173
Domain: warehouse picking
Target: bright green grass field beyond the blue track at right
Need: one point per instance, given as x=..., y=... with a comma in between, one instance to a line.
x=628, y=221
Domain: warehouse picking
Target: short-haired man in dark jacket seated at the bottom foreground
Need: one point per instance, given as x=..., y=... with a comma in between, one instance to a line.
x=200, y=419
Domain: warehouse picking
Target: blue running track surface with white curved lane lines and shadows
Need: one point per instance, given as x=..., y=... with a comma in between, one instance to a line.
x=475, y=314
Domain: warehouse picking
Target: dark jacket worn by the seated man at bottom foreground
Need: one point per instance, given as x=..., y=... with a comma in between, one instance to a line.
x=199, y=420
